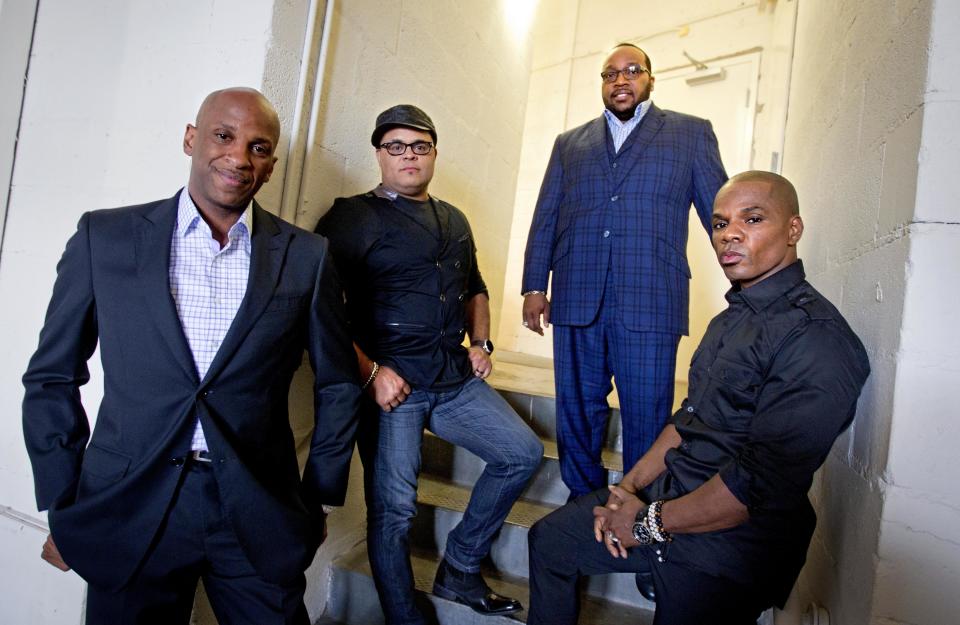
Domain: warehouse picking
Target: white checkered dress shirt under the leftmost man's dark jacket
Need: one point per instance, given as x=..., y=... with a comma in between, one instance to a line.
x=207, y=283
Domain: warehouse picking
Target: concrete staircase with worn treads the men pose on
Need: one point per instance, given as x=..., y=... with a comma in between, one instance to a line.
x=445, y=482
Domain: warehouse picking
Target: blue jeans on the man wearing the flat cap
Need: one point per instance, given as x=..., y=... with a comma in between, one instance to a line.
x=472, y=416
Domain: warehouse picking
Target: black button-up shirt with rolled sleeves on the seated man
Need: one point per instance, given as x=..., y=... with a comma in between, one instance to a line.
x=774, y=382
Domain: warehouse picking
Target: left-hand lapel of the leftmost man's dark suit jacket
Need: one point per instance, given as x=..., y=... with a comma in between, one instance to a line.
x=152, y=249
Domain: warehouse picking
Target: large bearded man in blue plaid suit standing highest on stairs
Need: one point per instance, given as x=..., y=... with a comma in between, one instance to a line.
x=611, y=224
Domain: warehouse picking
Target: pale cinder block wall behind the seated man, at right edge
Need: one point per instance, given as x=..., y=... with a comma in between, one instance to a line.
x=871, y=143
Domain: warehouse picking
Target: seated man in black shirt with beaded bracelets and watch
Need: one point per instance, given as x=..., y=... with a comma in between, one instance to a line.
x=716, y=512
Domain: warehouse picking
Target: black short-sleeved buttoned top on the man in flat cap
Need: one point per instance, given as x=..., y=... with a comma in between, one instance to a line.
x=408, y=269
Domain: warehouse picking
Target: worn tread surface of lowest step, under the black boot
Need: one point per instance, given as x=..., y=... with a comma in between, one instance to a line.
x=593, y=611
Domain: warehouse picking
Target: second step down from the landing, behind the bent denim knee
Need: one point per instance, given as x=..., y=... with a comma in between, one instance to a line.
x=457, y=465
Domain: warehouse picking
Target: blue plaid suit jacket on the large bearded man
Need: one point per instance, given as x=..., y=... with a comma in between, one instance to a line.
x=627, y=215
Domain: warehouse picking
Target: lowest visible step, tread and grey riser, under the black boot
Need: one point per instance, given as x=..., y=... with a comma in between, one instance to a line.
x=353, y=597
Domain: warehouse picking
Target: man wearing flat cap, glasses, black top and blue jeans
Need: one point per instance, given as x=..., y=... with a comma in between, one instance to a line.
x=413, y=290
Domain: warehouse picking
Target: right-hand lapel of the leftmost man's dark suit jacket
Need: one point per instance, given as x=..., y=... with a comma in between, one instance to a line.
x=268, y=246
